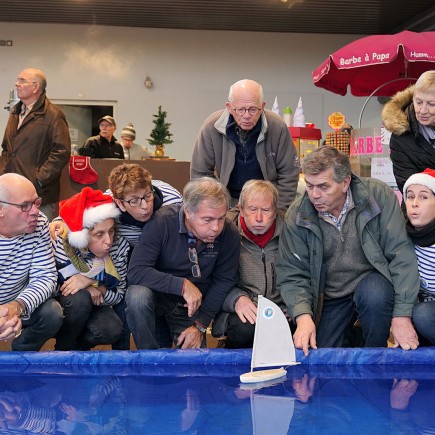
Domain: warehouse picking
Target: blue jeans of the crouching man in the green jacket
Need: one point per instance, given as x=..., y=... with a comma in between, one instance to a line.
x=372, y=303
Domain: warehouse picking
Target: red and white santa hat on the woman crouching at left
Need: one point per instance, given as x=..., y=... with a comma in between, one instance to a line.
x=82, y=211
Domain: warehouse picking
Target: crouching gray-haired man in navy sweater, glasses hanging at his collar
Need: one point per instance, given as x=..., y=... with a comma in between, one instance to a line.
x=183, y=267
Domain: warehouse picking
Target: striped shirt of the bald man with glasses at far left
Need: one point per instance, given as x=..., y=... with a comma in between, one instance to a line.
x=27, y=268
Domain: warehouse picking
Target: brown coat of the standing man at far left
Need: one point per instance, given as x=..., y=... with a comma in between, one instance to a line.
x=40, y=148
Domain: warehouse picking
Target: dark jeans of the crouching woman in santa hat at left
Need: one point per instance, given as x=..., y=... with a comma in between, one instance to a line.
x=86, y=325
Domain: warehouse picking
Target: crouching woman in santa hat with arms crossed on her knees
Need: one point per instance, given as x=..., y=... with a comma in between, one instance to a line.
x=92, y=267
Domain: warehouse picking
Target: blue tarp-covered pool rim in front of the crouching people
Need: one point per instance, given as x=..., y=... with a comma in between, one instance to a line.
x=356, y=356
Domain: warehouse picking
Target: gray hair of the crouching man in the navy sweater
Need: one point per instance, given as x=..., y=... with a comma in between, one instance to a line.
x=205, y=189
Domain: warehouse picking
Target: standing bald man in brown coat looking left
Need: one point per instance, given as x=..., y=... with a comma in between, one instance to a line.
x=36, y=142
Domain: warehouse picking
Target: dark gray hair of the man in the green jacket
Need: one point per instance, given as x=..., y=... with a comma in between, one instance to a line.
x=325, y=157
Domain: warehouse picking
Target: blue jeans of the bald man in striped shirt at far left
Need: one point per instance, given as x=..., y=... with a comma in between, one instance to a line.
x=42, y=325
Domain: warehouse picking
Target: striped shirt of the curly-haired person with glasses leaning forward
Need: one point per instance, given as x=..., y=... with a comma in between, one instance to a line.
x=169, y=194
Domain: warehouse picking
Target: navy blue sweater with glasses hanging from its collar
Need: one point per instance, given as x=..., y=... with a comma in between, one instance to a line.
x=160, y=260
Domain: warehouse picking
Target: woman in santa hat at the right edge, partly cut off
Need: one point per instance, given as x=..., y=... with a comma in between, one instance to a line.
x=419, y=195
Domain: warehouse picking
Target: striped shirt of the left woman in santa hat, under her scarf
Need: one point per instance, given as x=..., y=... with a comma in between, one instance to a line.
x=119, y=255
